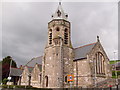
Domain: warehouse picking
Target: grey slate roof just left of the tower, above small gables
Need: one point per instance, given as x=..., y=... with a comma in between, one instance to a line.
x=33, y=61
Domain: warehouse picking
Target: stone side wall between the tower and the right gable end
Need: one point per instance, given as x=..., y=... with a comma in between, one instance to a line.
x=82, y=73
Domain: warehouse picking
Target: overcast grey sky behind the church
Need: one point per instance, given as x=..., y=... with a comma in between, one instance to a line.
x=24, y=27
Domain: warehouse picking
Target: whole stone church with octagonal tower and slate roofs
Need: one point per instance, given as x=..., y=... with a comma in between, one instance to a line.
x=88, y=65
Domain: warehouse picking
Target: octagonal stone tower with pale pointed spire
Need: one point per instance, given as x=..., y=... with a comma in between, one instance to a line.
x=58, y=55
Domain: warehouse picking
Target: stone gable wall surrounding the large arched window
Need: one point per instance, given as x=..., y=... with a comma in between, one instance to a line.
x=91, y=57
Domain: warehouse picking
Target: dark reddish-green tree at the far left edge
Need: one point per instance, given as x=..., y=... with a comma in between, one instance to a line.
x=6, y=66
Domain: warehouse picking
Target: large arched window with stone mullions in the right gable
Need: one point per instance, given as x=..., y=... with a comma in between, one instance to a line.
x=100, y=68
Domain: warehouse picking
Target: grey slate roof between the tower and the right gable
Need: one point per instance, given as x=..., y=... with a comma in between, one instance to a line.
x=81, y=52
